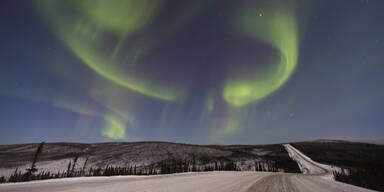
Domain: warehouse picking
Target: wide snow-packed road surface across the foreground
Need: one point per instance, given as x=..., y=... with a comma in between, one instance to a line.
x=188, y=182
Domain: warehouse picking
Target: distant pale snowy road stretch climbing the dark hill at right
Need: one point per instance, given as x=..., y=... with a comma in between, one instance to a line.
x=308, y=166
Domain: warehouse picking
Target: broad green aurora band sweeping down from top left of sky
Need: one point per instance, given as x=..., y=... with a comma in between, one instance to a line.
x=89, y=29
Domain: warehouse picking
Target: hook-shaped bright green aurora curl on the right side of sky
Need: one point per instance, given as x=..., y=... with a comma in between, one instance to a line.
x=277, y=27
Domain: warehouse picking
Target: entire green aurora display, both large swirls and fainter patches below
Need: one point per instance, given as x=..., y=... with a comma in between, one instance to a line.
x=99, y=31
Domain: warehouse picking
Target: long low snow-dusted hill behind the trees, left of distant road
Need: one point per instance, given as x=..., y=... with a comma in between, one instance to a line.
x=55, y=157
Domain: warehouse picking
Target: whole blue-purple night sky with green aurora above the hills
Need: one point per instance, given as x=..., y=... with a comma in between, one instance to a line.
x=201, y=71
